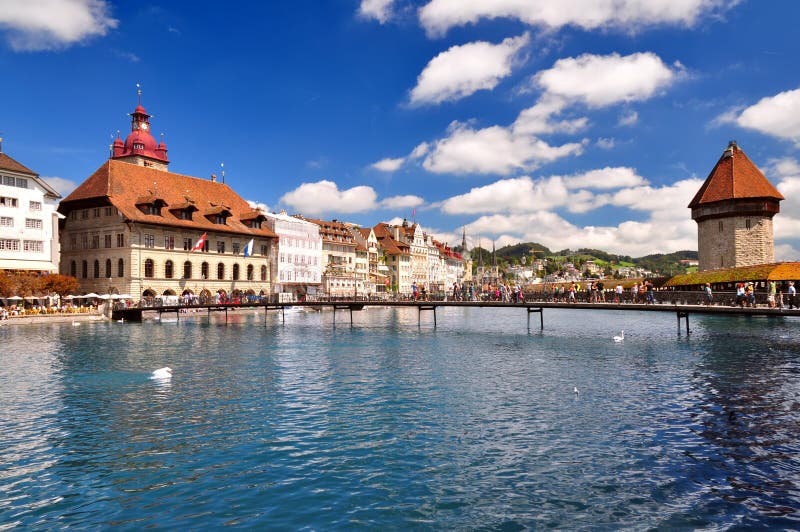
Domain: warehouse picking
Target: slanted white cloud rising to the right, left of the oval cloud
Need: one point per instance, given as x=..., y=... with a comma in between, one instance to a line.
x=465, y=69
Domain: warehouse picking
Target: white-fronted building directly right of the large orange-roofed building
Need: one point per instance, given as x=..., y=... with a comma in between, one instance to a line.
x=299, y=265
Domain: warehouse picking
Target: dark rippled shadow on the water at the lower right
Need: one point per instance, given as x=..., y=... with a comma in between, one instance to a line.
x=747, y=418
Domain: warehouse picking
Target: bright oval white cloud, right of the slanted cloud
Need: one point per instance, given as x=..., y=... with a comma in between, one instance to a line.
x=599, y=81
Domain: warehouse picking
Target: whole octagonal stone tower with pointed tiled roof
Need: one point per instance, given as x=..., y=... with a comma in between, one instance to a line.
x=734, y=210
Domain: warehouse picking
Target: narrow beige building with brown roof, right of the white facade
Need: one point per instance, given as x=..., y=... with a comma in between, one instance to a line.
x=339, y=276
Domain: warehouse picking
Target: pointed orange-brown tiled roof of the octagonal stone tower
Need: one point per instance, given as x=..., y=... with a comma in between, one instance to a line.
x=734, y=176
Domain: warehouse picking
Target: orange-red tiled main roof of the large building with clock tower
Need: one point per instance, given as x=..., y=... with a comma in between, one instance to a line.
x=123, y=184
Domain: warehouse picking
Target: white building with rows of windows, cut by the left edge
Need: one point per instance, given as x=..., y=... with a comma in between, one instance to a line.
x=28, y=219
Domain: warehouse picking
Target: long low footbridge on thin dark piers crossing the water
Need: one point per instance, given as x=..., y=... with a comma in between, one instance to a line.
x=681, y=310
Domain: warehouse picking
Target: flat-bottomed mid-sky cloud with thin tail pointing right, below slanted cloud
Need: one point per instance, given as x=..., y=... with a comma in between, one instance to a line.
x=492, y=150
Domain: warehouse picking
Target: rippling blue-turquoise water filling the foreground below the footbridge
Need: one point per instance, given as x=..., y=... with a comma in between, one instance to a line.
x=473, y=424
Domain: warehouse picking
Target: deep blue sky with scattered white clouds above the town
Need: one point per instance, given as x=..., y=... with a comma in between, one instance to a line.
x=572, y=123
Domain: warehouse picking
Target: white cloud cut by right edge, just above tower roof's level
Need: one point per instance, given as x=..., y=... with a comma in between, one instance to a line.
x=778, y=116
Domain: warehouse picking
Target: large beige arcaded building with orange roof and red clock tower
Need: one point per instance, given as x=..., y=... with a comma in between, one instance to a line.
x=134, y=227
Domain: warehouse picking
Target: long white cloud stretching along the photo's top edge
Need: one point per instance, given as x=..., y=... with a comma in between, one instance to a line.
x=628, y=15
